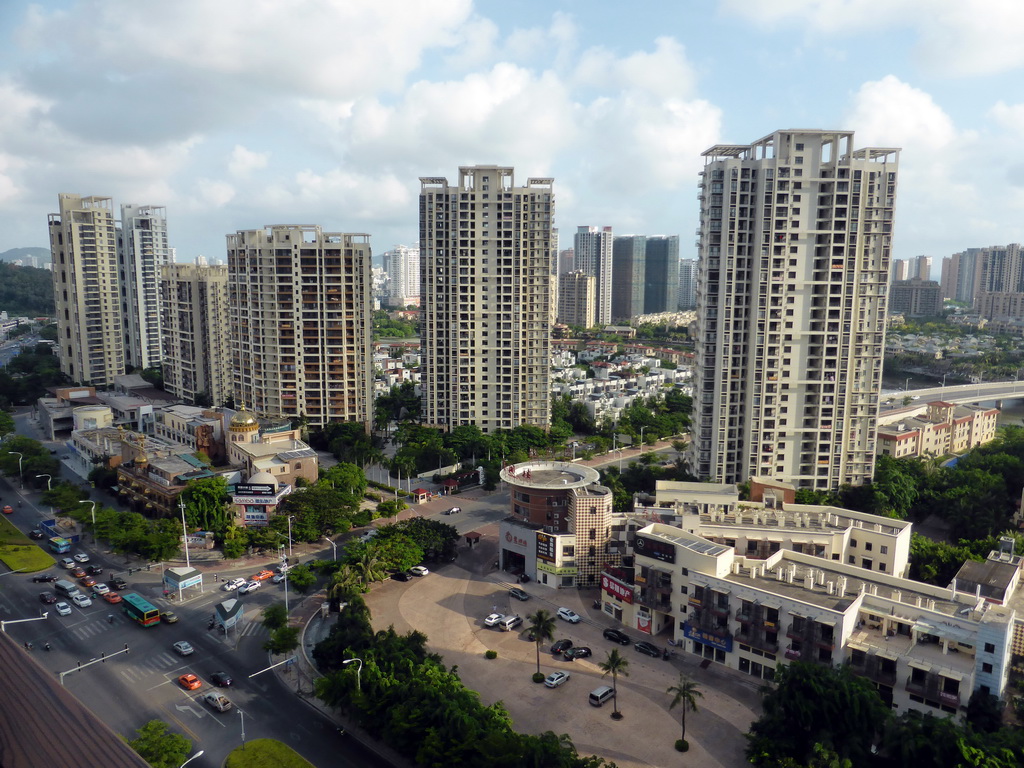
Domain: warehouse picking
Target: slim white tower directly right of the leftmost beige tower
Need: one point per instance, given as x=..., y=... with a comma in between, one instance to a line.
x=143, y=253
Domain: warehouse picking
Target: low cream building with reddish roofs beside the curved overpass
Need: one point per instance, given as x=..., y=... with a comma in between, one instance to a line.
x=945, y=430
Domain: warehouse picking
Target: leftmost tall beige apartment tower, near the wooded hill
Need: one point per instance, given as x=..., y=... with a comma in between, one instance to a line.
x=87, y=290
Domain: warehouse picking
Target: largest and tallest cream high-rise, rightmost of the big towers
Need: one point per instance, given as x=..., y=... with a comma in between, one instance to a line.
x=795, y=247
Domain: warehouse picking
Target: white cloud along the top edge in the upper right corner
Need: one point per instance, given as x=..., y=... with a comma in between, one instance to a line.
x=959, y=37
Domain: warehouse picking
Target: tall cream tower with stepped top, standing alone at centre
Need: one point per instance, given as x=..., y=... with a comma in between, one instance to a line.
x=486, y=257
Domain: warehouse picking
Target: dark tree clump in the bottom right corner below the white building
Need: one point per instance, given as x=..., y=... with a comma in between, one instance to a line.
x=823, y=716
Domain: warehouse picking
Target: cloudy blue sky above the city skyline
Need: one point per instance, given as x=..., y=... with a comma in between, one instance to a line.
x=239, y=114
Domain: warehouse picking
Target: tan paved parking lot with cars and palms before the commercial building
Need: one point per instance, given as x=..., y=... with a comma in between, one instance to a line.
x=450, y=607
